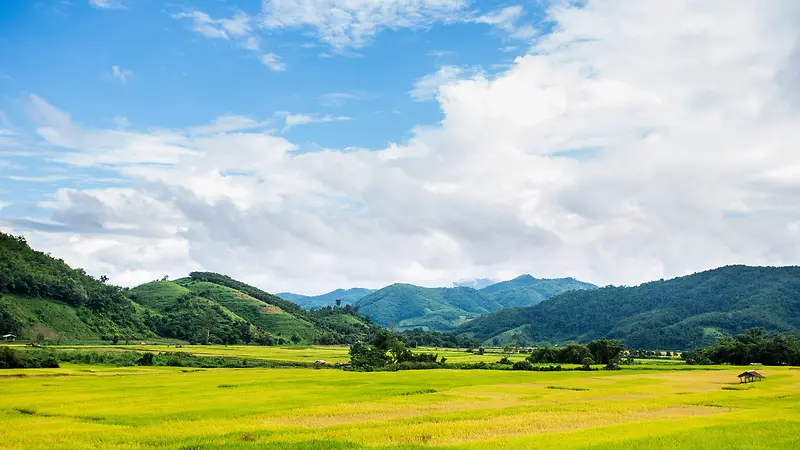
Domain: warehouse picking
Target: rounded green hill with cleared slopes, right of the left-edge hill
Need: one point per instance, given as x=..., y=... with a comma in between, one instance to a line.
x=211, y=306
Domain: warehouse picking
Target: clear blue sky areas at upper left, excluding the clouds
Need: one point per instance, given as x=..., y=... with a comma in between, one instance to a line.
x=140, y=64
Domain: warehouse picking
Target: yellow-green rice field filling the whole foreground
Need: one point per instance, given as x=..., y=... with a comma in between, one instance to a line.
x=131, y=408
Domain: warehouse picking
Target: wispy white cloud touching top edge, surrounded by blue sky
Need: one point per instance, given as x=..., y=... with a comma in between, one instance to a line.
x=345, y=24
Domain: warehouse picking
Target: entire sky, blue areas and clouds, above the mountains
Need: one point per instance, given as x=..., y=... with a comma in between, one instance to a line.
x=309, y=145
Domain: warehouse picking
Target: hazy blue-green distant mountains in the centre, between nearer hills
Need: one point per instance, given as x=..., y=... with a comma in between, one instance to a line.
x=443, y=309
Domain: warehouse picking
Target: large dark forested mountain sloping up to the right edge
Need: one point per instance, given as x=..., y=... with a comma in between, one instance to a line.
x=680, y=313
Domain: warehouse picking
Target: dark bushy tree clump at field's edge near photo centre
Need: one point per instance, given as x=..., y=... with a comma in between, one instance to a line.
x=386, y=350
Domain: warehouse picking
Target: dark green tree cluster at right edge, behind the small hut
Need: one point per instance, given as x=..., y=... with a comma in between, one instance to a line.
x=752, y=346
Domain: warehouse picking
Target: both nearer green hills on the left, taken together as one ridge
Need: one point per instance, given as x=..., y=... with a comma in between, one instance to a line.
x=42, y=296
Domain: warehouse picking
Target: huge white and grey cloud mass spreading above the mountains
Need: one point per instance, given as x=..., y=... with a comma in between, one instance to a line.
x=639, y=140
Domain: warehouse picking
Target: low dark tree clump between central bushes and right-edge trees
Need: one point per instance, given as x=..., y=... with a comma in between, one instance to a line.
x=601, y=351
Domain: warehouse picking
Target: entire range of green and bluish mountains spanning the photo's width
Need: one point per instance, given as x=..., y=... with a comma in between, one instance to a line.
x=41, y=296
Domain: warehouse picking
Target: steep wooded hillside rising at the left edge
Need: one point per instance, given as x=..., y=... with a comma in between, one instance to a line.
x=43, y=296
